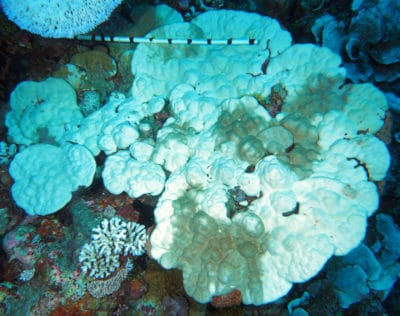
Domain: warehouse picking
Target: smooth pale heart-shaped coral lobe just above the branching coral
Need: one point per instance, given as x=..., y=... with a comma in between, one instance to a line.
x=45, y=176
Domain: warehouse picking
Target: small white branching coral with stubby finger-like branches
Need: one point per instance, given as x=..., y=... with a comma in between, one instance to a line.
x=111, y=239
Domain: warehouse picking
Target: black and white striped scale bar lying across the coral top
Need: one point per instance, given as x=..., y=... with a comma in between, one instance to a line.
x=174, y=41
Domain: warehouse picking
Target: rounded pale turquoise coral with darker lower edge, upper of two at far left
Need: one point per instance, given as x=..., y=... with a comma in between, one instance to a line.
x=41, y=111
